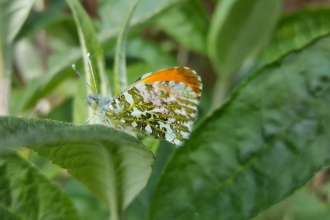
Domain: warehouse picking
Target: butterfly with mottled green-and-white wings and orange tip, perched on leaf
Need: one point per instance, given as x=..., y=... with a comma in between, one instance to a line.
x=161, y=104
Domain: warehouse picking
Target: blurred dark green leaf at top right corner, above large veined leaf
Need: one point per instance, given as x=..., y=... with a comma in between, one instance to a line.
x=296, y=30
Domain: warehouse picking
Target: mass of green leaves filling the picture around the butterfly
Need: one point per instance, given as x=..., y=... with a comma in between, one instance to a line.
x=261, y=135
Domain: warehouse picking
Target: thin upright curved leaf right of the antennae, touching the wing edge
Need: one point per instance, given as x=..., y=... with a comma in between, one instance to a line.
x=120, y=78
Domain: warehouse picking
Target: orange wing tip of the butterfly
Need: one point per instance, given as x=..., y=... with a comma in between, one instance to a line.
x=177, y=74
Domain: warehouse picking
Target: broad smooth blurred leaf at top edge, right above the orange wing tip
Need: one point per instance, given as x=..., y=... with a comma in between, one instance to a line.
x=238, y=30
